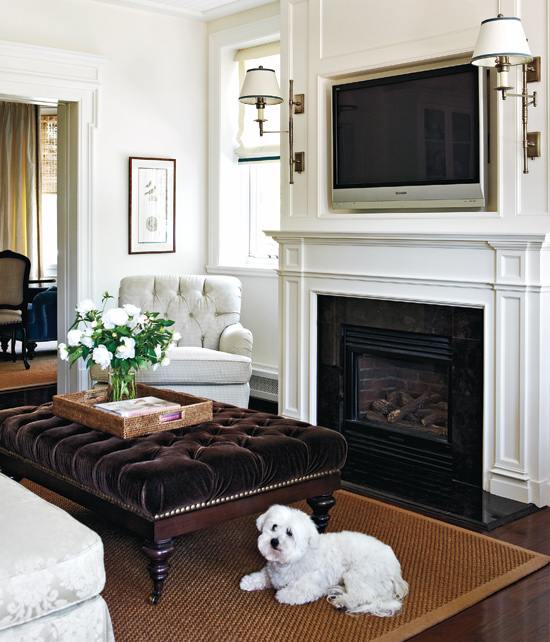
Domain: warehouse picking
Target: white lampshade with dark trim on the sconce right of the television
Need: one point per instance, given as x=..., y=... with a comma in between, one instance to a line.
x=498, y=37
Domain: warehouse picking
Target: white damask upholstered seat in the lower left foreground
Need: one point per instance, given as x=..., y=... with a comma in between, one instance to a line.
x=51, y=573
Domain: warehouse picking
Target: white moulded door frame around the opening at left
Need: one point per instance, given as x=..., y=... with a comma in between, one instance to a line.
x=71, y=79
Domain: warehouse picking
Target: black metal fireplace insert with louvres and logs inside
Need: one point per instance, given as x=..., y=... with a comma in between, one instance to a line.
x=398, y=413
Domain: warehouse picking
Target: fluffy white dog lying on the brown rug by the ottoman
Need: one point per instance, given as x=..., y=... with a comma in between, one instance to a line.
x=357, y=573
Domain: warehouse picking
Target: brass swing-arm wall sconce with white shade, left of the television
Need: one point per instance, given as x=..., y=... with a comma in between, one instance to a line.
x=260, y=88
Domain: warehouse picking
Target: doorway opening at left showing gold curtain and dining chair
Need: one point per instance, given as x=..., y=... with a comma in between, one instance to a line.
x=29, y=227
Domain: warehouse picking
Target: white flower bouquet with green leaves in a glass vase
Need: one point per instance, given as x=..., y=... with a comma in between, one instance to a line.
x=122, y=339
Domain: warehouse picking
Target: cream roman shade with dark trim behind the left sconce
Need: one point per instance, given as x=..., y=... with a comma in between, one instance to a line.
x=250, y=144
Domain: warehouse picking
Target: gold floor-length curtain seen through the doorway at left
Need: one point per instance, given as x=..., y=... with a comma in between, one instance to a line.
x=19, y=181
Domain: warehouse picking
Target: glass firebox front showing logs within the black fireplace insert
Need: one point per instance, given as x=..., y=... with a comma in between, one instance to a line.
x=400, y=381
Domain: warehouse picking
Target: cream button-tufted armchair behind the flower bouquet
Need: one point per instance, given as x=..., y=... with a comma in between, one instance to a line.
x=213, y=358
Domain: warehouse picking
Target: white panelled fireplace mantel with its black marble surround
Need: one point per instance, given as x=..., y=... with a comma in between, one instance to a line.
x=488, y=292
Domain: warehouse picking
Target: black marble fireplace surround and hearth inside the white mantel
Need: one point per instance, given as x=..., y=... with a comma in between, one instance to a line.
x=441, y=472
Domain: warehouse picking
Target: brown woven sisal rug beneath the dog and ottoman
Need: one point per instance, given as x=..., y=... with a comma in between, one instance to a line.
x=448, y=570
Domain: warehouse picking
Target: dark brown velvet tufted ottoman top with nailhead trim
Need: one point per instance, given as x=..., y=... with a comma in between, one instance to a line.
x=239, y=453
